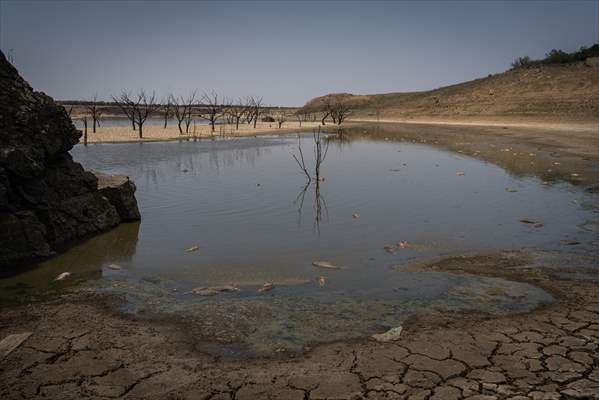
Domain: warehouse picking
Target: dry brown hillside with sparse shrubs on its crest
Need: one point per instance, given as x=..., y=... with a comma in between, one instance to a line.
x=562, y=90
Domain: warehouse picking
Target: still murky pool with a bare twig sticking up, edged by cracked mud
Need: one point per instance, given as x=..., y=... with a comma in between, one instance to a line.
x=247, y=207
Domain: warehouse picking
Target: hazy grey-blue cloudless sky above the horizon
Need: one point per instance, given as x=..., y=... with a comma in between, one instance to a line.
x=287, y=52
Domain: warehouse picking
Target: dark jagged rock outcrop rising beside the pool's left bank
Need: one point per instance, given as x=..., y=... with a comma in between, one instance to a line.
x=47, y=200
